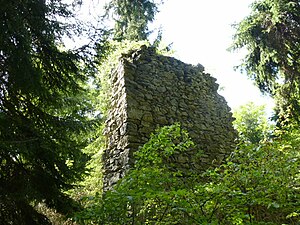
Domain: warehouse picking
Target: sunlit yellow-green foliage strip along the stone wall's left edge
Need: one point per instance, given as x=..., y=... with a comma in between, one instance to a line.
x=92, y=182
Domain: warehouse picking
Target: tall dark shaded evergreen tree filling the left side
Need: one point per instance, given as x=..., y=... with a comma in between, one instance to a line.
x=43, y=122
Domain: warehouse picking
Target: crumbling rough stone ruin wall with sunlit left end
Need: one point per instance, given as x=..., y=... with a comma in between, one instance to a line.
x=151, y=90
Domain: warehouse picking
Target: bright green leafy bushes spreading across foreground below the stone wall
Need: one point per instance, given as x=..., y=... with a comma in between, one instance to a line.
x=258, y=184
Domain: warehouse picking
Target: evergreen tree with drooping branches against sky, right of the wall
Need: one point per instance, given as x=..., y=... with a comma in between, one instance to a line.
x=271, y=34
